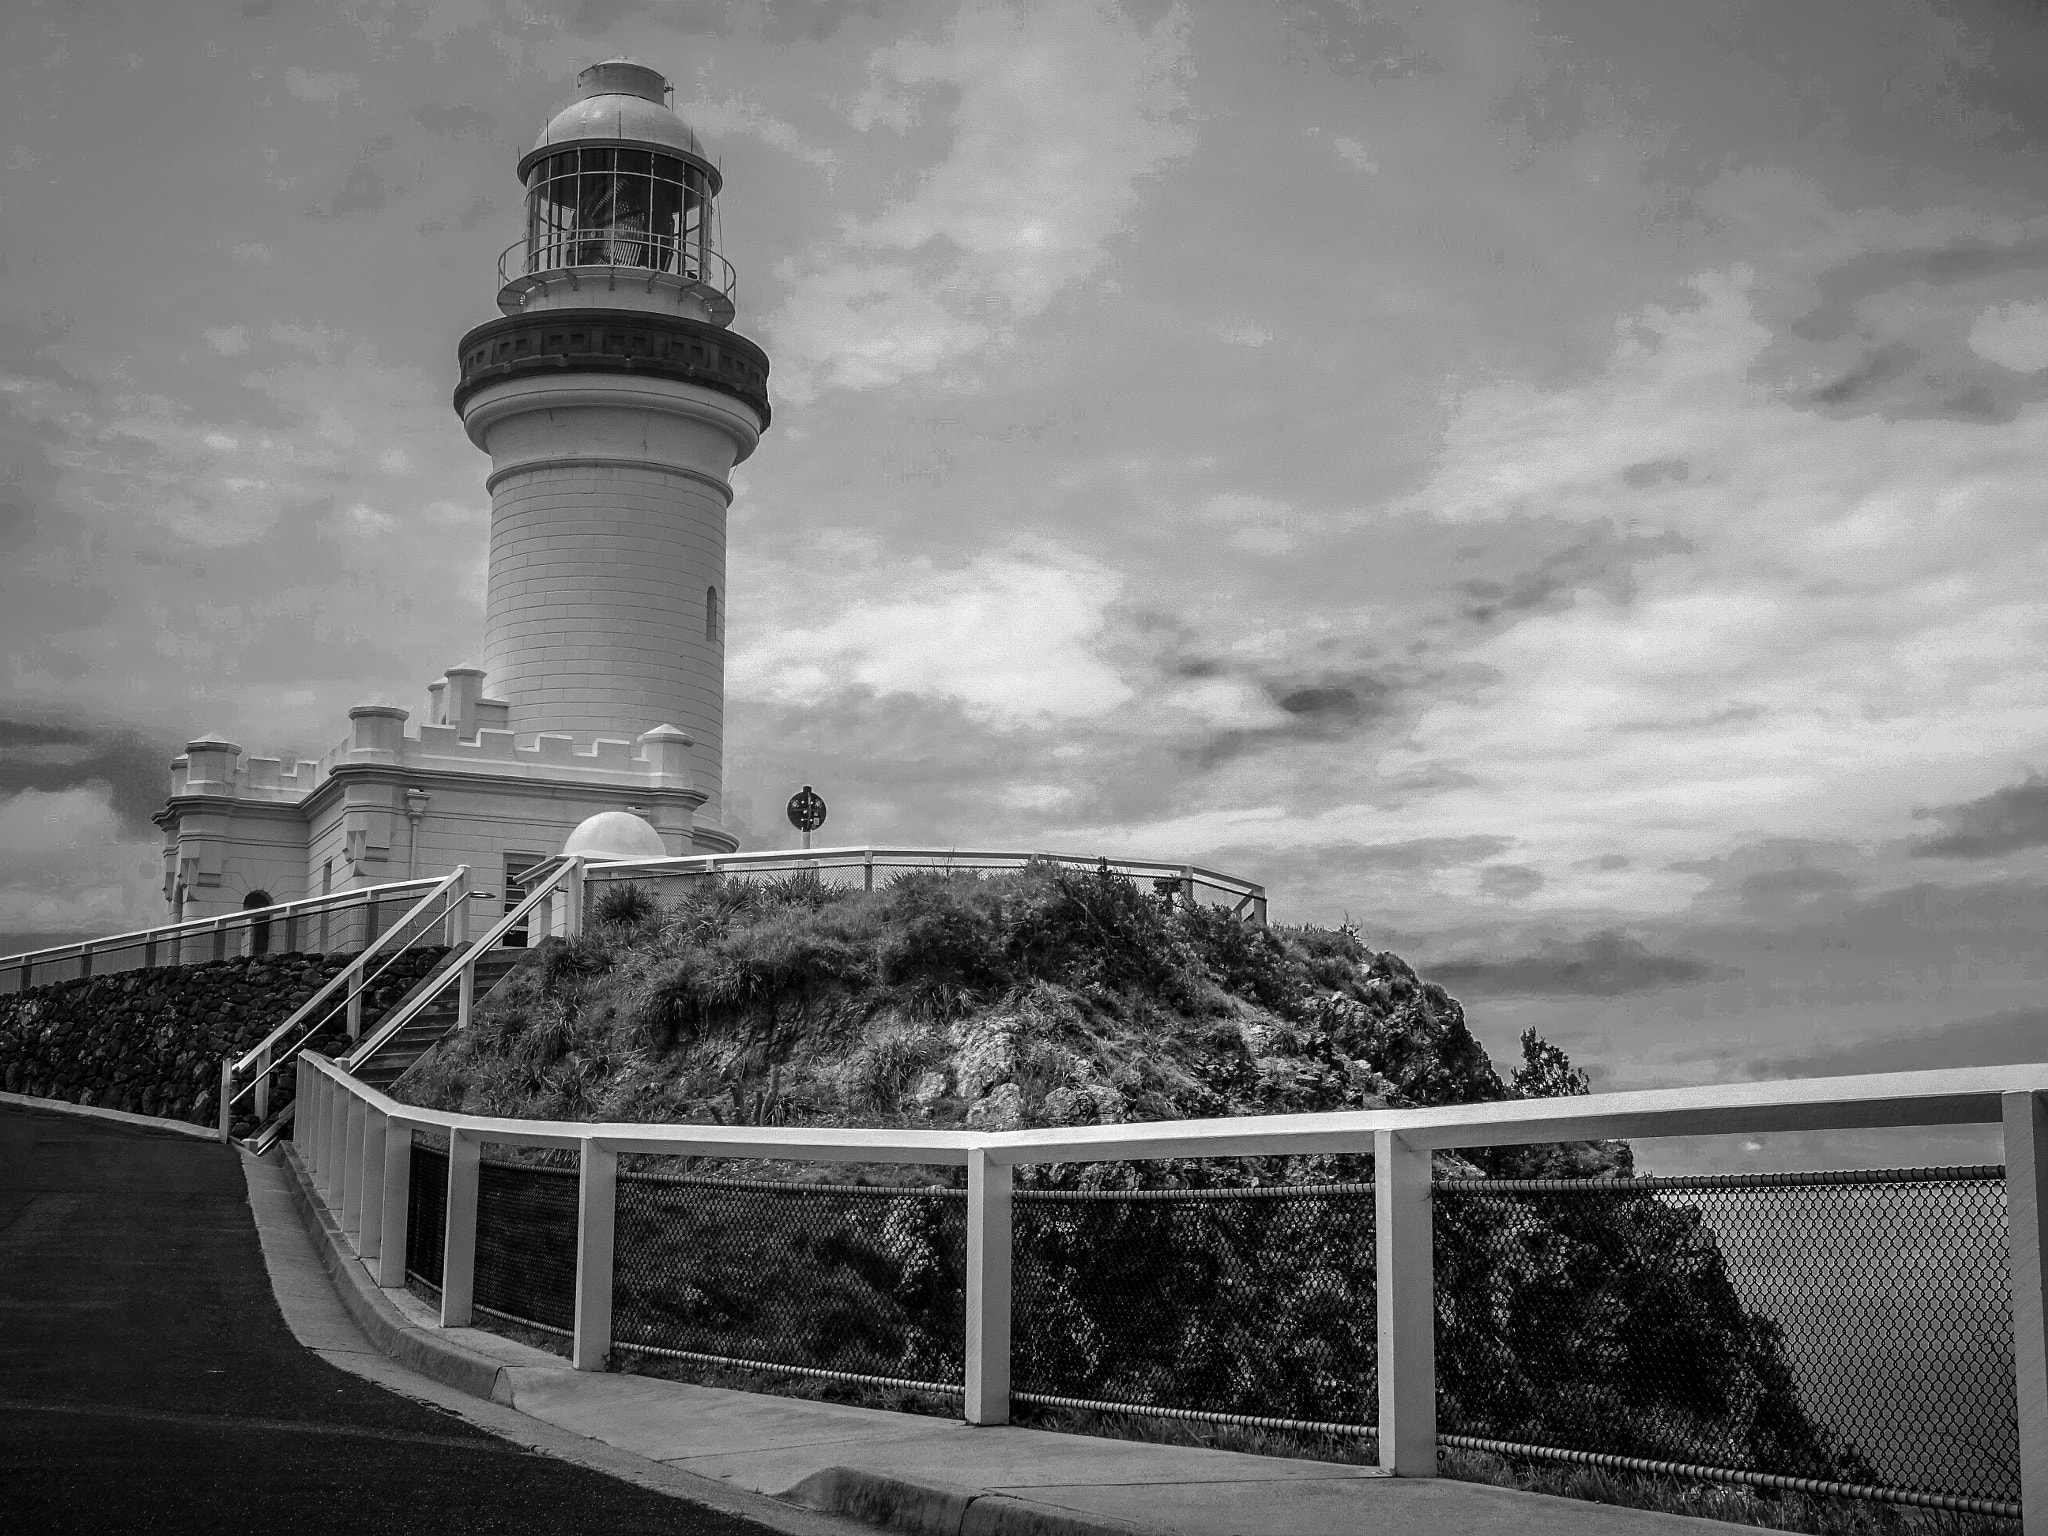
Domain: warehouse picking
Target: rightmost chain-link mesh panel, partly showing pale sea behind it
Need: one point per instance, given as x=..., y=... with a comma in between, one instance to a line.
x=1834, y=1328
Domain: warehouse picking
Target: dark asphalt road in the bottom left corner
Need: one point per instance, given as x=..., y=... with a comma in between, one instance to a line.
x=151, y=1385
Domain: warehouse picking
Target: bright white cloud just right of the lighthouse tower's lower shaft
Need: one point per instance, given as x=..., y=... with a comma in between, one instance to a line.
x=1011, y=638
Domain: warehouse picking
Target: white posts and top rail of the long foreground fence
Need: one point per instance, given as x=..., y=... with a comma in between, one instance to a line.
x=357, y=1146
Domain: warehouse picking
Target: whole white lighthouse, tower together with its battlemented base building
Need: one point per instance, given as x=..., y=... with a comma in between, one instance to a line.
x=613, y=402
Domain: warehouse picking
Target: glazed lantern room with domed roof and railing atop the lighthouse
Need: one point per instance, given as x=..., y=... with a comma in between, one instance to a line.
x=622, y=208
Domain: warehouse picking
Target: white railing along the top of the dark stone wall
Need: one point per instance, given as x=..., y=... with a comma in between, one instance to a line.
x=331, y=925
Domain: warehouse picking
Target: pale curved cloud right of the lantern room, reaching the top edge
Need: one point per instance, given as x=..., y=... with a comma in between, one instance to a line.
x=1060, y=114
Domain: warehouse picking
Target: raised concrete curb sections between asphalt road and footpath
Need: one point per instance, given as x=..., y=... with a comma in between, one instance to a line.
x=849, y=1492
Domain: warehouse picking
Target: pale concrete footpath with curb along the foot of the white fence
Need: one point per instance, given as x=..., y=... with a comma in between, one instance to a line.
x=937, y=1478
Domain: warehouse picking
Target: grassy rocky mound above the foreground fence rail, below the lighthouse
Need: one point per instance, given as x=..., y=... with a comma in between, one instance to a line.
x=1017, y=1000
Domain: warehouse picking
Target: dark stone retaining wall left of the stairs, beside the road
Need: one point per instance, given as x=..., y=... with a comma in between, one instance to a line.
x=153, y=1041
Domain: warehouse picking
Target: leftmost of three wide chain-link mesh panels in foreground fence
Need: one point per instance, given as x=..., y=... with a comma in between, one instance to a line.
x=841, y=1281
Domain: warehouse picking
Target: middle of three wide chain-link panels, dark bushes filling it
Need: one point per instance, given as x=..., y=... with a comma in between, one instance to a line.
x=1250, y=1306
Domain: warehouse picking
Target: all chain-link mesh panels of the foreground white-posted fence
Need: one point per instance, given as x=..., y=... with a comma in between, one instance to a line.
x=1850, y=1332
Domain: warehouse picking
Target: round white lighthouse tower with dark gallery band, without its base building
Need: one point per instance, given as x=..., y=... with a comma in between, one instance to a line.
x=613, y=402
